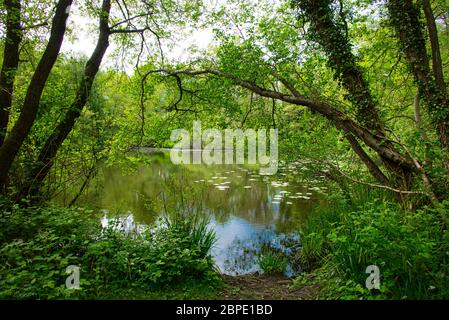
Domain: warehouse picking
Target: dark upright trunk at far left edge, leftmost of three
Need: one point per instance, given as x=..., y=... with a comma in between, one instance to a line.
x=10, y=62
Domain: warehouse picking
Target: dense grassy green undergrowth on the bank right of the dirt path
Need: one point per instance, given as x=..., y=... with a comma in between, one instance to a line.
x=411, y=250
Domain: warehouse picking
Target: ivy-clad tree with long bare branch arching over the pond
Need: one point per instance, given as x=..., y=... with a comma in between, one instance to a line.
x=327, y=27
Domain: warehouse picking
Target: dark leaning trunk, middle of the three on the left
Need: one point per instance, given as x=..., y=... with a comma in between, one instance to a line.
x=22, y=127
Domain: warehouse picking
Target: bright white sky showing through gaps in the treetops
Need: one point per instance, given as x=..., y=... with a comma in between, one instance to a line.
x=184, y=45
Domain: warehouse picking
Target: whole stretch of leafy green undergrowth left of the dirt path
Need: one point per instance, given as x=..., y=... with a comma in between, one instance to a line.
x=37, y=244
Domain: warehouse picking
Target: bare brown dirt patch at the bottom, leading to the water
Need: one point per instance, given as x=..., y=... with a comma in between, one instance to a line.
x=265, y=288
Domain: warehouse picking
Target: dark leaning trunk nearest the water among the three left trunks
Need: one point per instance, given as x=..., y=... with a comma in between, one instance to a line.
x=48, y=152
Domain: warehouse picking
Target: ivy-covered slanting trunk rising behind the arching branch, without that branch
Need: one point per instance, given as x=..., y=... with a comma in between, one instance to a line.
x=335, y=42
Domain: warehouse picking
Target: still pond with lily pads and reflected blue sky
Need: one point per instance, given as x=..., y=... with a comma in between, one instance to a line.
x=249, y=213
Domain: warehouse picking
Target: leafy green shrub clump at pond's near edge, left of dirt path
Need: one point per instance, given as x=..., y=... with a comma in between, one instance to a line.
x=154, y=260
